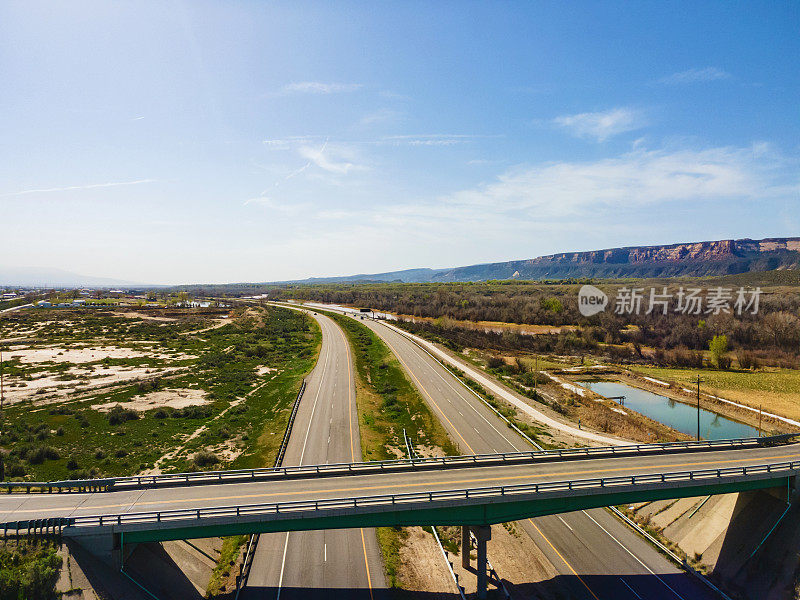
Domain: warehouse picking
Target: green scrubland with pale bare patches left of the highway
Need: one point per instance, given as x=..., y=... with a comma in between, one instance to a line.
x=59, y=437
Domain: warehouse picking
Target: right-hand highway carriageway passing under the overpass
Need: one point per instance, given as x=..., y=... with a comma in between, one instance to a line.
x=598, y=557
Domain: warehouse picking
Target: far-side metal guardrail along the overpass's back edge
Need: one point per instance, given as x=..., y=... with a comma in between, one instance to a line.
x=397, y=465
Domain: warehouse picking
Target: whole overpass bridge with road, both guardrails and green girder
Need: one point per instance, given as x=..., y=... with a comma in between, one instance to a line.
x=469, y=491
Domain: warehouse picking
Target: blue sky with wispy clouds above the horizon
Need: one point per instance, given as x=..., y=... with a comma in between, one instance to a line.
x=175, y=142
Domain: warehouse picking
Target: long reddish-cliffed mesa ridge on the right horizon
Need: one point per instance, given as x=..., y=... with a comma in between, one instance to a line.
x=697, y=259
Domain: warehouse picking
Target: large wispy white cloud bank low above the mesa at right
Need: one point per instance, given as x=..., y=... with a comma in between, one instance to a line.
x=639, y=178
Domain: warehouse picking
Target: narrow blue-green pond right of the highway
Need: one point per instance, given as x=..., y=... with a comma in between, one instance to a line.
x=677, y=415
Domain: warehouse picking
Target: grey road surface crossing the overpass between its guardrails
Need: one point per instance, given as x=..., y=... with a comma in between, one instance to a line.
x=433, y=479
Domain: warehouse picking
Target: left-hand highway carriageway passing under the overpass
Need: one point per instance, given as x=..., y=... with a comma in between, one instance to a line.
x=306, y=564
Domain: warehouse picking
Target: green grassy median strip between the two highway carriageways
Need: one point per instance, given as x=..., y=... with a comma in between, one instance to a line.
x=388, y=403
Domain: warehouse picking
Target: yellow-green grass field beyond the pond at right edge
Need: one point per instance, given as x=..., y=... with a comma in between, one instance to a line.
x=776, y=390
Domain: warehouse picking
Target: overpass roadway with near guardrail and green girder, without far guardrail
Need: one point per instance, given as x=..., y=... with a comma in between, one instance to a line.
x=420, y=497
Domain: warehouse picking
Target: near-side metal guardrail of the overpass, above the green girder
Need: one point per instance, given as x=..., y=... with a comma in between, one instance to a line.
x=299, y=508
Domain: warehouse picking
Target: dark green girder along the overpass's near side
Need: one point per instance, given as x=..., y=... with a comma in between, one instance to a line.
x=488, y=512
